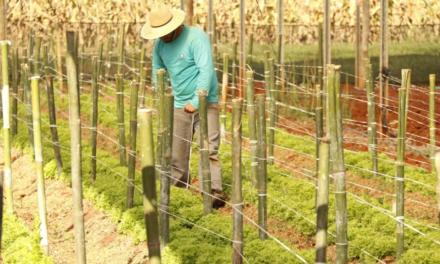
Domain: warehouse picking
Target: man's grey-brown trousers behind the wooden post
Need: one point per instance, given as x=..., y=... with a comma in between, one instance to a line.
x=185, y=126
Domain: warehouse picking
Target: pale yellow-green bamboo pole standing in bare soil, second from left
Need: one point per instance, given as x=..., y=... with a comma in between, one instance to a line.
x=38, y=152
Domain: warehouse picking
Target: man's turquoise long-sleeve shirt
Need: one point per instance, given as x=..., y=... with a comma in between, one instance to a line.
x=188, y=61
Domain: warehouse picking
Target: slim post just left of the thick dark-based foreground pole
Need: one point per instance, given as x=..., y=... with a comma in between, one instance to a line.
x=134, y=89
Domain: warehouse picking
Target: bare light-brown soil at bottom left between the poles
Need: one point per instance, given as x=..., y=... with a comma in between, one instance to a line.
x=103, y=242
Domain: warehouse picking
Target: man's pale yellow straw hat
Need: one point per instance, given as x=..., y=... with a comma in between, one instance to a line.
x=162, y=21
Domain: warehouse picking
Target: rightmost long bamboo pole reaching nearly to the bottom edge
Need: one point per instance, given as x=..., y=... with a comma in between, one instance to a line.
x=400, y=161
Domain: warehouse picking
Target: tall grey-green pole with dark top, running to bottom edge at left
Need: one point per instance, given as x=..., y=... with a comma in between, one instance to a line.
x=75, y=149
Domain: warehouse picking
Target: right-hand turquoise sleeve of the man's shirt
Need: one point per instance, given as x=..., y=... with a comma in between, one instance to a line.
x=201, y=49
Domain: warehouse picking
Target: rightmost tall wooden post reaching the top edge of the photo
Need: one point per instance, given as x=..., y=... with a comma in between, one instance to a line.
x=384, y=64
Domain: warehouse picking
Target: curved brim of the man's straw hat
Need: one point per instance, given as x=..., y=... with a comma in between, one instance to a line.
x=148, y=32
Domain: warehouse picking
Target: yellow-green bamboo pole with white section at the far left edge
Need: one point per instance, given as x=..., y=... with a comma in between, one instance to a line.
x=7, y=169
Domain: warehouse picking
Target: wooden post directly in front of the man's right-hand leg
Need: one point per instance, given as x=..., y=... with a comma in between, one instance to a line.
x=205, y=178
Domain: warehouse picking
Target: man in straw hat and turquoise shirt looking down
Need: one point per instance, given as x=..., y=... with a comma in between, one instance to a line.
x=185, y=52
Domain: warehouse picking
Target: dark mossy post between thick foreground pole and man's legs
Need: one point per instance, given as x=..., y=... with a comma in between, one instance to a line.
x=167, y=143
